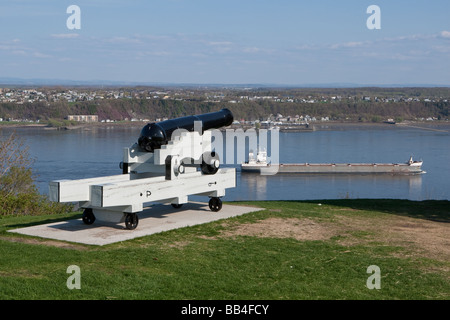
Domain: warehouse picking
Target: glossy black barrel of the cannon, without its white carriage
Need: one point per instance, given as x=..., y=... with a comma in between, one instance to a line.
x=154, y=135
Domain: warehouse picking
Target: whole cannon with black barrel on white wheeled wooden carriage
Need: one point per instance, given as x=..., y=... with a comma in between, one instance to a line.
x=170, y=161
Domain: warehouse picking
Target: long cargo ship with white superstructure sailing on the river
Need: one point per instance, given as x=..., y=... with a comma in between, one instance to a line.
x=259, y=164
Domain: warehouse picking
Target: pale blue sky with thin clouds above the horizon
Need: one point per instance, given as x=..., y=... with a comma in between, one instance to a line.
x=227, y=42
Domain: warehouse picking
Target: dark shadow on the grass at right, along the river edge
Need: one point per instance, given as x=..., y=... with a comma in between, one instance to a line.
x=434, y=210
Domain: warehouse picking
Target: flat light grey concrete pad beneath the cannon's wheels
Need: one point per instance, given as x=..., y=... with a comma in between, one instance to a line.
x=155, y=219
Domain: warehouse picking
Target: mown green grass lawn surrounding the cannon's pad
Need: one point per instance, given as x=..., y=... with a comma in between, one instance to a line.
x=219, y=260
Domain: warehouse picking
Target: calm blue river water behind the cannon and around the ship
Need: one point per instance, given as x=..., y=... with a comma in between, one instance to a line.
x=97, y=151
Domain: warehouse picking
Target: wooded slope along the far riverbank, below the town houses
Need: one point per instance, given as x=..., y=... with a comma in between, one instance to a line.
x=122, y=109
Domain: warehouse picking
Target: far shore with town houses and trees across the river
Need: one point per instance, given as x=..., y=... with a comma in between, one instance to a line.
x=299, y=111
